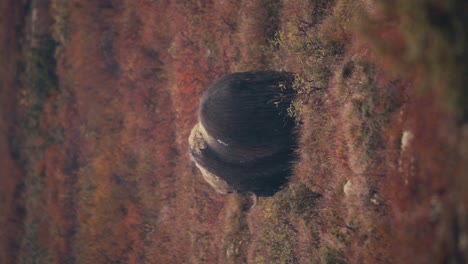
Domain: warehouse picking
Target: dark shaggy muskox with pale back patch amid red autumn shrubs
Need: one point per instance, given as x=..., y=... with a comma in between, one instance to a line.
x=245, y=140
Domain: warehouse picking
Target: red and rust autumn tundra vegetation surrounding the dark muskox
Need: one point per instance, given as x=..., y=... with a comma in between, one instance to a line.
x=97, y=100
